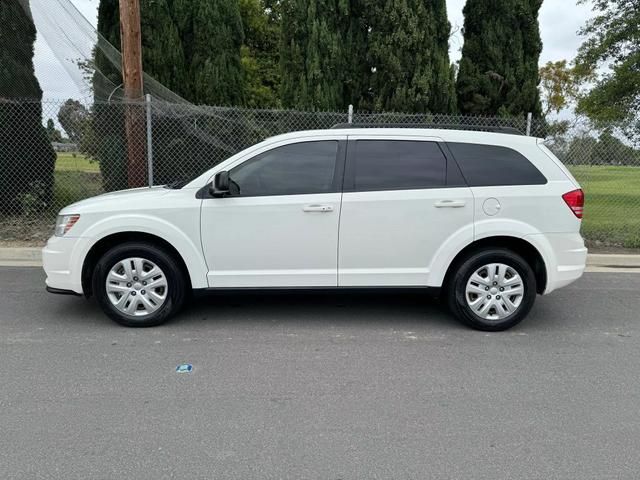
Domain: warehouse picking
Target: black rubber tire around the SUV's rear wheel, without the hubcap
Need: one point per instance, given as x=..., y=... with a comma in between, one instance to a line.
x=456, y=289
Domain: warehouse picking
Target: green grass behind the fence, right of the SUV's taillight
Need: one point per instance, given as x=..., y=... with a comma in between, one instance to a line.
x=612, y=204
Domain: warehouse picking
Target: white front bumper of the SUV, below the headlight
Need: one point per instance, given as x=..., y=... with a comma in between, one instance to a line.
x=62, y=262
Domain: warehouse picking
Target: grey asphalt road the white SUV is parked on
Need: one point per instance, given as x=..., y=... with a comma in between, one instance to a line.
x=320, y=386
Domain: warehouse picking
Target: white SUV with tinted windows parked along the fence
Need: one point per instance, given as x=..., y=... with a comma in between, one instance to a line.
x=490, y=219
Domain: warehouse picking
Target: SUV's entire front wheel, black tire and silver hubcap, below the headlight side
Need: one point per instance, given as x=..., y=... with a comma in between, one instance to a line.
x=138, y=284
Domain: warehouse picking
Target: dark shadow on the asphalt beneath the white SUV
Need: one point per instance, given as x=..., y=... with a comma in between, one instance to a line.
x=293, y=309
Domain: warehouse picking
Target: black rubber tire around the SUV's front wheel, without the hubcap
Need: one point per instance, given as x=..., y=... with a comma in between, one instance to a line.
x=176, y=284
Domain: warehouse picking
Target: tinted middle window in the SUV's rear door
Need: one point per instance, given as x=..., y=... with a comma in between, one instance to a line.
x=397, y=165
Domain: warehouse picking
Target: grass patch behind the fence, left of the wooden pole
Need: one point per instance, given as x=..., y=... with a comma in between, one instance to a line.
x=76, y=178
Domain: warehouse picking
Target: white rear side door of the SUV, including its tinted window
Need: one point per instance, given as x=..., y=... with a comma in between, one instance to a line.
x=402, y=200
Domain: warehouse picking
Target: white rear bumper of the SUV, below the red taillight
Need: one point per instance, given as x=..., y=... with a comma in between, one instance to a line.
x=565, y=257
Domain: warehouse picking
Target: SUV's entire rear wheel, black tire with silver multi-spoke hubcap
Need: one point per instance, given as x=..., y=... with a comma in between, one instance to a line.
x=492, y=290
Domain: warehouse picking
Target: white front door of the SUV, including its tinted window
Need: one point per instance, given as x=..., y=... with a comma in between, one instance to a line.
x=280, y=226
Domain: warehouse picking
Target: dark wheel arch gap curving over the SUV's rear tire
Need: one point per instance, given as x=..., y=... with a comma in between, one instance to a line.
x=517, y=245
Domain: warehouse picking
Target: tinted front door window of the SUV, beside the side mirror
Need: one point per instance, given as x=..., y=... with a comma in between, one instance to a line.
x=289, y=170
